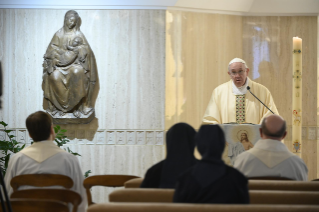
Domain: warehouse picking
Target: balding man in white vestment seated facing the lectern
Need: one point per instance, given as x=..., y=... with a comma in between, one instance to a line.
x=270, y=157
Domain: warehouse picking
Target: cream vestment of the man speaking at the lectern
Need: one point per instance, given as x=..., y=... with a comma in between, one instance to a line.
x=222, y=106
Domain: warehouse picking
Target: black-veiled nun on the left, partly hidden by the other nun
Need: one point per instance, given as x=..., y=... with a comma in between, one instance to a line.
x=180, y=146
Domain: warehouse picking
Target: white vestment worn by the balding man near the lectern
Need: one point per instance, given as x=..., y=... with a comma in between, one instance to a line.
x=271, y=158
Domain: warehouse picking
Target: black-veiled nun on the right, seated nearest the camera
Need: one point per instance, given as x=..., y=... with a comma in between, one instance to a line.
x=210, y=180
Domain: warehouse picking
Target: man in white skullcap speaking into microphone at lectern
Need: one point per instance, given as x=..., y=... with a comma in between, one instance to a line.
x=231, y=101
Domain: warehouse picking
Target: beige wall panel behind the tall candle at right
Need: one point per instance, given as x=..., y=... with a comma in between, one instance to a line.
x=267, y=48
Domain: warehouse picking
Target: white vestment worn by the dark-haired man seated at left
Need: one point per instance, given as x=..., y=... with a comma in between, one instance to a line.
x=46, y=158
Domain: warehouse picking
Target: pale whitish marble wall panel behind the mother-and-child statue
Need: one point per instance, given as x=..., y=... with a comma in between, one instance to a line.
x=129, y=46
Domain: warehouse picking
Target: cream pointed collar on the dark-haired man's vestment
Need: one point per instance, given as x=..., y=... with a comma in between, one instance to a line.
x=42, y=150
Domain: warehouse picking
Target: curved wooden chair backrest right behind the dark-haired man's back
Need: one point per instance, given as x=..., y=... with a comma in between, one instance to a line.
x=41, y=180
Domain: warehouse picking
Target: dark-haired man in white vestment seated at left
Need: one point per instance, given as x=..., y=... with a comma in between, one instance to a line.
x=44, y=157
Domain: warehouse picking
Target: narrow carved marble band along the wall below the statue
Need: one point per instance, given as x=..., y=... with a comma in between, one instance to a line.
x=99, y=137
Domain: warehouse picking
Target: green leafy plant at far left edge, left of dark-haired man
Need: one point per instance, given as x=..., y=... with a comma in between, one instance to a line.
x=8, y=147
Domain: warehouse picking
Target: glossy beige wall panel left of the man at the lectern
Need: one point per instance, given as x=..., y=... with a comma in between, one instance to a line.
x=199, y=47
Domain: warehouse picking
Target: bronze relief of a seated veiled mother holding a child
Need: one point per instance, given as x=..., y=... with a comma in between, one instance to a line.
x=70, y=74
